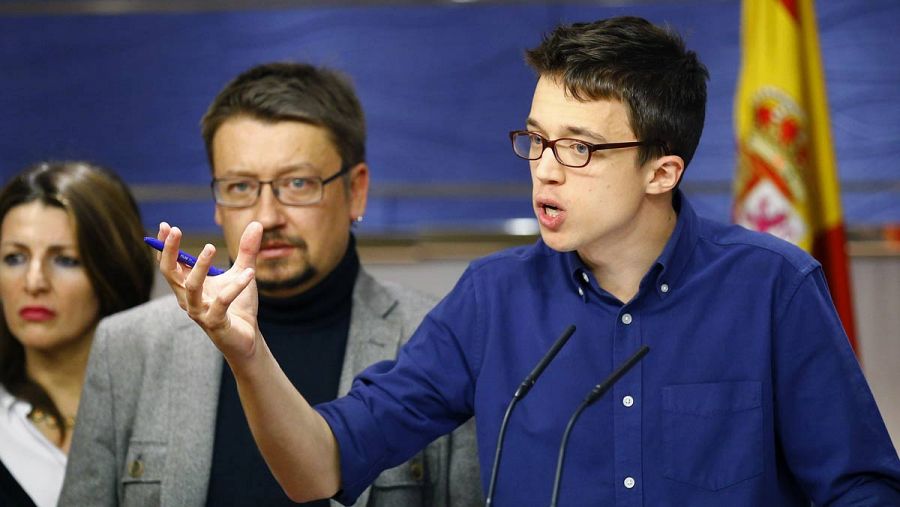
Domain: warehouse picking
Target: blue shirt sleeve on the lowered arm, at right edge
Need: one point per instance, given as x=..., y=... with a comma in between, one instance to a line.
x=834, y=439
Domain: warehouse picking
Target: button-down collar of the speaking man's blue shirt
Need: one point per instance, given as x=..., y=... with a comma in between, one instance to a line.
x=666, y=271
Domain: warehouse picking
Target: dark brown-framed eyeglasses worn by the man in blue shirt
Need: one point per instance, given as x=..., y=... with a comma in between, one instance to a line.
x=568, y=152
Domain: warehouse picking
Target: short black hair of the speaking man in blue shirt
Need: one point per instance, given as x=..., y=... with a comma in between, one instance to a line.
x=644, y=66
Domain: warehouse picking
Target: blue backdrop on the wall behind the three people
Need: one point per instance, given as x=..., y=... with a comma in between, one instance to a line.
x=441, y=85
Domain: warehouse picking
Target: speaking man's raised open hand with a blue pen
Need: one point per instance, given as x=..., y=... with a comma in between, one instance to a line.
x=225, y=306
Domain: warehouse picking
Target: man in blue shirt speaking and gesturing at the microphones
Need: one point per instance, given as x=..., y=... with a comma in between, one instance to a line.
x=750, y=396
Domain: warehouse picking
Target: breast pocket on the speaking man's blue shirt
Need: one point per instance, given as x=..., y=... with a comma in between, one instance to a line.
x=712, y=433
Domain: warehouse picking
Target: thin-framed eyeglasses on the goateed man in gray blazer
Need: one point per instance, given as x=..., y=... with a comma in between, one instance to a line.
x=289, y=190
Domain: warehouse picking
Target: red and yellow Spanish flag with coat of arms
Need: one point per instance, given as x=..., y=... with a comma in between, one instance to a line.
x=786, y=181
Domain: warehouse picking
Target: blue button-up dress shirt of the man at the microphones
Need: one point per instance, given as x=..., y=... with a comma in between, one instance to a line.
x=750, y=395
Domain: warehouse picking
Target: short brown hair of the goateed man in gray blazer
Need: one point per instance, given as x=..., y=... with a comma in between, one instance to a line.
x=286, y=91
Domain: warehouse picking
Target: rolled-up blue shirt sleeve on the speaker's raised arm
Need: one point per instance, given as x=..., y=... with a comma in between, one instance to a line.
x=396, y=408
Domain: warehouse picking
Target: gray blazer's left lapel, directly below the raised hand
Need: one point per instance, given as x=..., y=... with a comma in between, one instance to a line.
x=193, y=398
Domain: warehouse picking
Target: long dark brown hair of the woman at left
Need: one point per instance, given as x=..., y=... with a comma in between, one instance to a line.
x=108, y=230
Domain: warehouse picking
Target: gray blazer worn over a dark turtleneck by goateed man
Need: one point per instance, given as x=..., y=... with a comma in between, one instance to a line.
x=147, y=415
